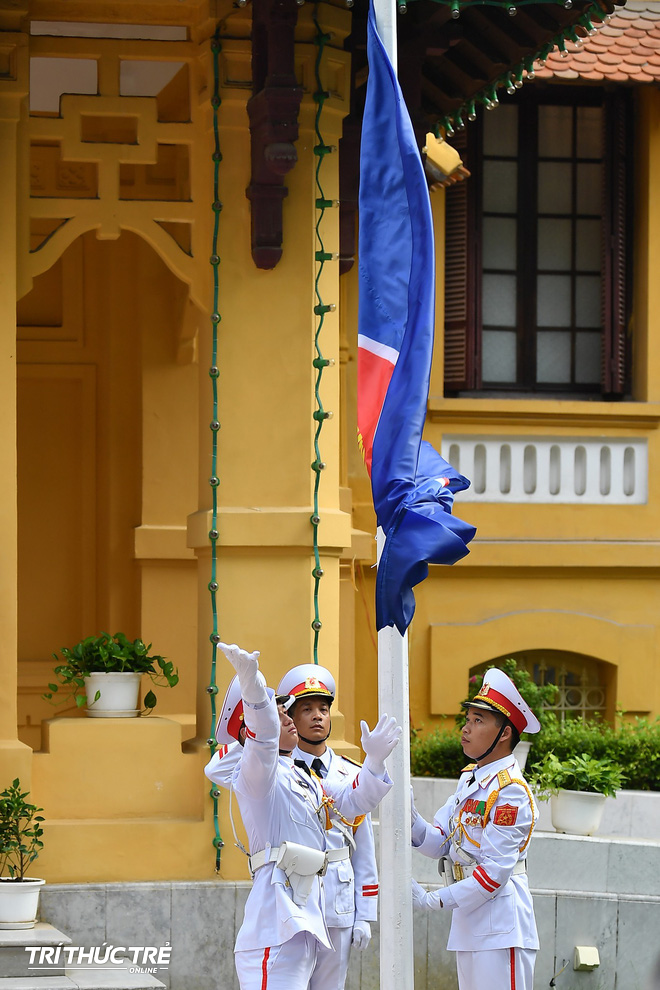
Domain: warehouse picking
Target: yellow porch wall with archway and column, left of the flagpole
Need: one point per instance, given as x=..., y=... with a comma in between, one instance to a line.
x=114, y=447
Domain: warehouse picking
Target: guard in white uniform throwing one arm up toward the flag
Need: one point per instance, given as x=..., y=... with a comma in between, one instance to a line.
x=285, y=812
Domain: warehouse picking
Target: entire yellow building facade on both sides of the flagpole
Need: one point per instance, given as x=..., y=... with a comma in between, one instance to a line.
x=114, y=455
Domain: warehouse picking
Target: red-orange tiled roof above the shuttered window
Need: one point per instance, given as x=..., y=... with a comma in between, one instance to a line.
x=624, y=49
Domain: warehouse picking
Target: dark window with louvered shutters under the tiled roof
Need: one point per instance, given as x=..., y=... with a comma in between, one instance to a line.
x=536, y=260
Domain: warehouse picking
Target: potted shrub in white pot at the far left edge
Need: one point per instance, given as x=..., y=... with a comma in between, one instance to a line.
x=20, y=844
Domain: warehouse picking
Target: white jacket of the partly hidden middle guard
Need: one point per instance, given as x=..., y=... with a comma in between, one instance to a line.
x=351, y=886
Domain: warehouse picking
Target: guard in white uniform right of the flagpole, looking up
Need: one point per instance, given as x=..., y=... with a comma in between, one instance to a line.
x=481, y=838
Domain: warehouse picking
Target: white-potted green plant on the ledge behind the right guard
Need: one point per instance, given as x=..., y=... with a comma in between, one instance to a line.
x=577, y=787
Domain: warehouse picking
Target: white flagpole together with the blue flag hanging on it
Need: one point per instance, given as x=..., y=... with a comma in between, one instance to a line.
x=408, y=478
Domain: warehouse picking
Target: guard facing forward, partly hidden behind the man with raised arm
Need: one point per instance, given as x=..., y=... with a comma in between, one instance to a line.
x=351, y=885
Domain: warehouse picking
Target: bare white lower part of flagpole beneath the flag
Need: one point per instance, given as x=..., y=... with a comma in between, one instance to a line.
x=395, y=900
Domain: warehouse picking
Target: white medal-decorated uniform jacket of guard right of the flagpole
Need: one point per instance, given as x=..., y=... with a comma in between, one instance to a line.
x=485, y=826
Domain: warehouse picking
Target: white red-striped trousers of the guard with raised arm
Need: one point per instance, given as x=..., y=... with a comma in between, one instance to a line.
x=279, y=967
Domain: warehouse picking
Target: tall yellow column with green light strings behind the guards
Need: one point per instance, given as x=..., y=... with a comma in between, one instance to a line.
x=266, y=398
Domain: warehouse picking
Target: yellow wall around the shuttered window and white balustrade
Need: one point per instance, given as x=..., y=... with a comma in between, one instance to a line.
x=578, y=579
